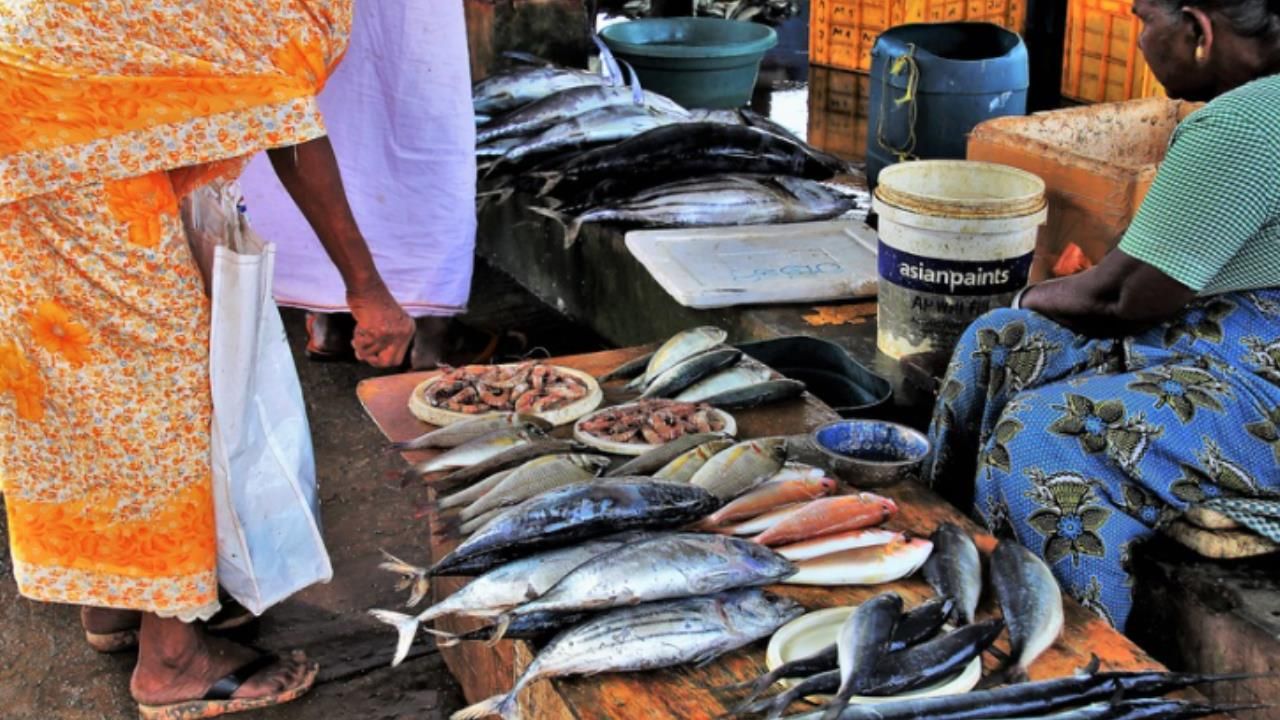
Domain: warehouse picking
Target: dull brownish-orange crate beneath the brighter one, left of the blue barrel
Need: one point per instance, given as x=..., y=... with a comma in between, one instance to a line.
x=839, y=112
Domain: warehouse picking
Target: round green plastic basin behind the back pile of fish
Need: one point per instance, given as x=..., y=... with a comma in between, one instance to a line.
x=697, y=62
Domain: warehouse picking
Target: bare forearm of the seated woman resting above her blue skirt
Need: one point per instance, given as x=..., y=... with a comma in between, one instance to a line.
x=1119, y=297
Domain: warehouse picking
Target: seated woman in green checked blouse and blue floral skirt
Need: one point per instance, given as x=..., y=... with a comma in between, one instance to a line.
x=1109, y=403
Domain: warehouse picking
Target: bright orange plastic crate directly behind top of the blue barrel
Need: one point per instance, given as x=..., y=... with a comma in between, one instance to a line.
x=842, y=33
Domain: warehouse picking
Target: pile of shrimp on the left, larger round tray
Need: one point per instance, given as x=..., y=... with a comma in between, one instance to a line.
x=528, y=388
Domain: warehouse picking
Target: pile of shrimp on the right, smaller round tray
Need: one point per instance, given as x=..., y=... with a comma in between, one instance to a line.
x=652, y=422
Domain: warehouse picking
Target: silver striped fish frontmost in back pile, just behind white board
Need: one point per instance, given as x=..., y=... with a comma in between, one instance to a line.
x=715, y=202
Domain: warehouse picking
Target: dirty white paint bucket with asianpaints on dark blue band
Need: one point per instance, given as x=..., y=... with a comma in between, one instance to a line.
x=957, y=240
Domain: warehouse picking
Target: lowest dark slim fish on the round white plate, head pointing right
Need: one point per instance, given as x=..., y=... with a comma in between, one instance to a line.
x=934, y=662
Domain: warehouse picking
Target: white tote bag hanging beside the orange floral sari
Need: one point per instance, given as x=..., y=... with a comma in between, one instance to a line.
x=269, y=541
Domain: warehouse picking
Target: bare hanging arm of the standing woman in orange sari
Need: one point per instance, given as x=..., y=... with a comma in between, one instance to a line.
x=310, y=174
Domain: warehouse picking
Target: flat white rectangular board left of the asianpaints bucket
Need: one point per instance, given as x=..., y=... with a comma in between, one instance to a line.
x=707, y=268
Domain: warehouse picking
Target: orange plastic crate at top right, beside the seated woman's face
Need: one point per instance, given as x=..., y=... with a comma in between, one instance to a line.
x=1104, y=63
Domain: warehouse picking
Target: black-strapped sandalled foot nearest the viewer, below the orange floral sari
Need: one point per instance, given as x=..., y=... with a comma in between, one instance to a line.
x=179, y=664
